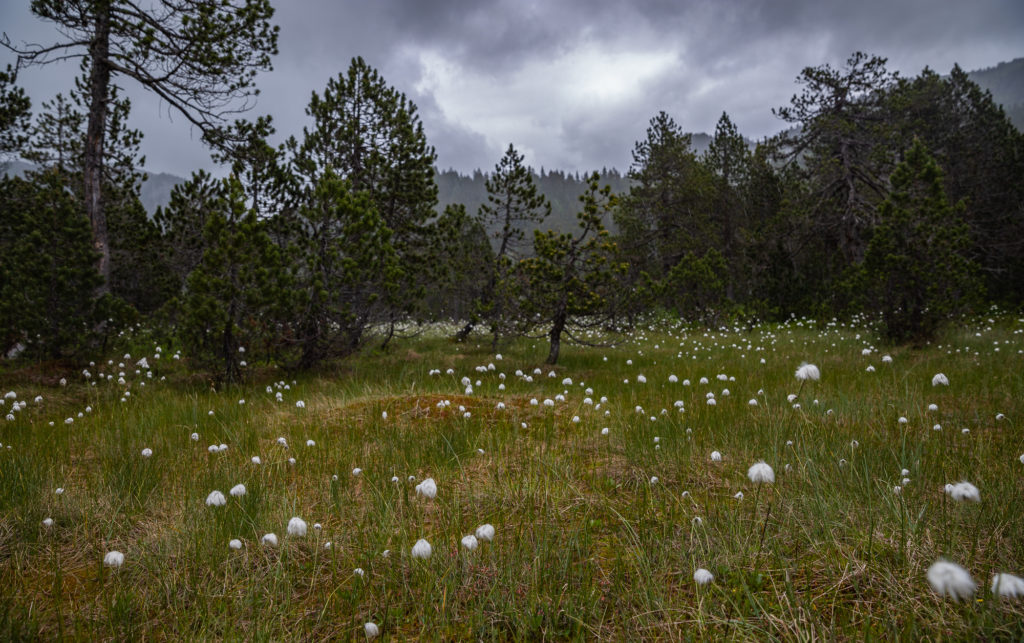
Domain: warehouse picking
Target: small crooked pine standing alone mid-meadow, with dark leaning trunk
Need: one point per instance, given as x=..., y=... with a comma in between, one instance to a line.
x=572, y=280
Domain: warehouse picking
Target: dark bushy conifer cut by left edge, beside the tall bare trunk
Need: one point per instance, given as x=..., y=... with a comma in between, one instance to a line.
x=48, y=268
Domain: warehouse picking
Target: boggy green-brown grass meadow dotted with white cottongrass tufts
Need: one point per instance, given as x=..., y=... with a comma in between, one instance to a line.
x=596, y=536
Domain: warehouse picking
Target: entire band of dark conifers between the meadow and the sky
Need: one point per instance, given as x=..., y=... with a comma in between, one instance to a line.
x=898, y=196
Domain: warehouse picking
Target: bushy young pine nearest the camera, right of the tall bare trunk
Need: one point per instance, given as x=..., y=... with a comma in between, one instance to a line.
x=239, y=294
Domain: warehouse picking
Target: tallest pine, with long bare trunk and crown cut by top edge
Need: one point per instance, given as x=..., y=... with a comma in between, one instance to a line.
x=200, y=58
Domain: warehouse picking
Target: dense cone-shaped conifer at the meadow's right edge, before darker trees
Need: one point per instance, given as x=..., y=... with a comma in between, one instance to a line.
x=917, y=270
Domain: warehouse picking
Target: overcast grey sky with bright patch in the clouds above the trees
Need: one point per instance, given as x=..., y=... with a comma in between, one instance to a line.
x=573, y=84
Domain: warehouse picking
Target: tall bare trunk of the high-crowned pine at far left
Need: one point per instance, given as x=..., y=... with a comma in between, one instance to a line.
x=100, y=81
